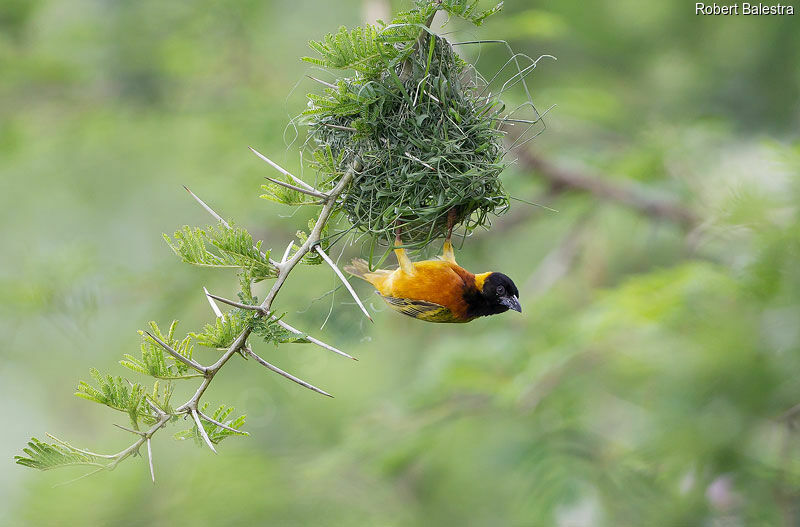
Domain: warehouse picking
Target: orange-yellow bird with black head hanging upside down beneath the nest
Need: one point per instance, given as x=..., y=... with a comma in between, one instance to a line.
x=439, y=290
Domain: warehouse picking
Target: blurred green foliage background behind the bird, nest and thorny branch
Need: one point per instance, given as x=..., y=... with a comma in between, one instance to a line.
x=646, y=383
